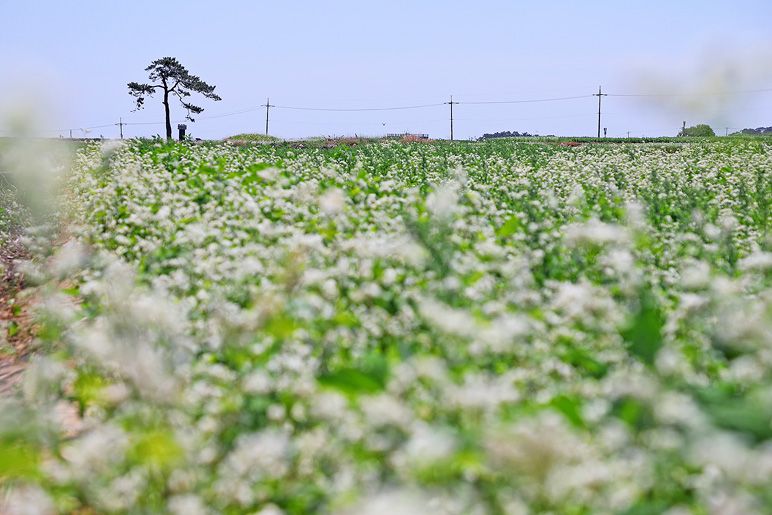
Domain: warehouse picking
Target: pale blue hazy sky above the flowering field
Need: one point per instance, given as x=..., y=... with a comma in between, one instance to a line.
x=701, y=61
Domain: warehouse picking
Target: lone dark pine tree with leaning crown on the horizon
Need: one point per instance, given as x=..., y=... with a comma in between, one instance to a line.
x=169, y=75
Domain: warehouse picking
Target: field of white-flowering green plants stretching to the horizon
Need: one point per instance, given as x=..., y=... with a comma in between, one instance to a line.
x=492, y=328
